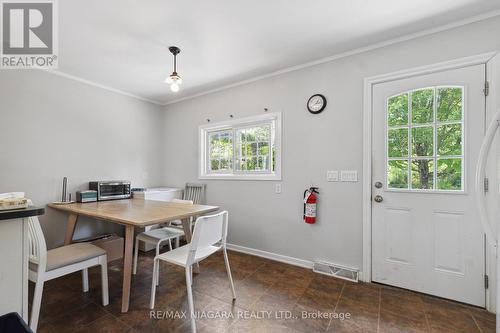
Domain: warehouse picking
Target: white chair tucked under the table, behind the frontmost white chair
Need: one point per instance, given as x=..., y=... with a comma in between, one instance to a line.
x=159, y=236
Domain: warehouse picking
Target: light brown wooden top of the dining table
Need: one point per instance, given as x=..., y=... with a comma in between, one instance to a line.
x=136, y=212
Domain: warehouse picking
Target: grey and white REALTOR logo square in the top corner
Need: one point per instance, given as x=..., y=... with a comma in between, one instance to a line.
x=29, y=32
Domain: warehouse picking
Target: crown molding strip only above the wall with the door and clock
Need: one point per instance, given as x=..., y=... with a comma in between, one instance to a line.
x=371, y=47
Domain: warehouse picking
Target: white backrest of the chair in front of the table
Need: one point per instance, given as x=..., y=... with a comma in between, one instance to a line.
x=210, y=230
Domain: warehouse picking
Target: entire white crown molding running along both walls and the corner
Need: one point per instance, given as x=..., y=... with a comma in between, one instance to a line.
x=371, y=47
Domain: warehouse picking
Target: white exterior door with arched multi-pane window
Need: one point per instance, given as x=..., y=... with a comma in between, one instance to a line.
x=427, y=131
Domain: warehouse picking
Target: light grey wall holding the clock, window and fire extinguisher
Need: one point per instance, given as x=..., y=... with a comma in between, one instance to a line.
x=266, y=221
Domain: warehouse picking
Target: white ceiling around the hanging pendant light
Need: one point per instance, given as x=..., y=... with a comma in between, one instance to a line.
x=123, y=43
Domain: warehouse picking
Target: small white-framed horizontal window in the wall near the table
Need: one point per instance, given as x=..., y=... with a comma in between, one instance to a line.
x=247, y=148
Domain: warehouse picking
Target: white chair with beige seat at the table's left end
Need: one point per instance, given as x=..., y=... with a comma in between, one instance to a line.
x=47, y=265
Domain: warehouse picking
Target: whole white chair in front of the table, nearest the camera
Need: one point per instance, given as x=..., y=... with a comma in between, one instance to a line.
x=209, y=236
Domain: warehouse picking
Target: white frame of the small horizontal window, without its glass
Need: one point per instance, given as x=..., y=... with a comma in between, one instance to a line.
x=203, y=154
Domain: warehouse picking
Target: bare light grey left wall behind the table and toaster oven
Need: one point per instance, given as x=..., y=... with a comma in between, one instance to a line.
x=52, y=127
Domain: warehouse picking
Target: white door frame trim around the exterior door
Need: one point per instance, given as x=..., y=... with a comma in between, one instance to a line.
x=369, y=82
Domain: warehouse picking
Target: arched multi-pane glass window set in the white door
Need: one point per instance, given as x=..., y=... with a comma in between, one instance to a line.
x=425, y=139
